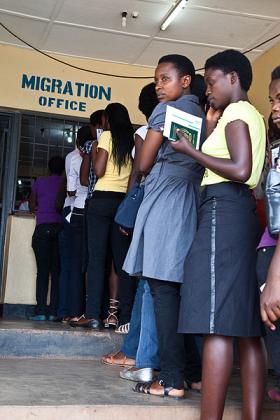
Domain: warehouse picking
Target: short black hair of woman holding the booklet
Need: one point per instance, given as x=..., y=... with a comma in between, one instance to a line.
x=232, y=60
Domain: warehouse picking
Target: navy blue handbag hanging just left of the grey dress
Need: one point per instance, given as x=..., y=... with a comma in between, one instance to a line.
x=128, y=209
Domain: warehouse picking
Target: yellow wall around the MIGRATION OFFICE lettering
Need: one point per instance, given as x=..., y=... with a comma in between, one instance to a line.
x=17, y=61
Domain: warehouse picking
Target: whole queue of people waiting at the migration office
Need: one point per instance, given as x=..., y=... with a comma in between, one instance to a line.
x=195, y=261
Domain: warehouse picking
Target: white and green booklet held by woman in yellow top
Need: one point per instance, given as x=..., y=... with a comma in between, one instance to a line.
x=189, y=124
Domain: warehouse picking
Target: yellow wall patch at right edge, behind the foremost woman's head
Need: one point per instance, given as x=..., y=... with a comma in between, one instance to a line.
x=262, y=68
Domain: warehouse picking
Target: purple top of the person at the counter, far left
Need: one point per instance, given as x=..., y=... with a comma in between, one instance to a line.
x=46, y=190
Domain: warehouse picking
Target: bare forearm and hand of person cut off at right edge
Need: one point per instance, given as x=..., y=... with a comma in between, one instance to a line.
x=270, y=297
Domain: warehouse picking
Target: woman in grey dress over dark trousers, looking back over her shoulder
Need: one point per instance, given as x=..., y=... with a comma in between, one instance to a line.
x=166, y=221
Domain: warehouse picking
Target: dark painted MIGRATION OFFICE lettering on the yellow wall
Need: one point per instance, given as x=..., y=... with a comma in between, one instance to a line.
x=64, y=95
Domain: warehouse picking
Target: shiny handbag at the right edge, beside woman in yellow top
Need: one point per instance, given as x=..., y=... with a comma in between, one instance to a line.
x=272, y=197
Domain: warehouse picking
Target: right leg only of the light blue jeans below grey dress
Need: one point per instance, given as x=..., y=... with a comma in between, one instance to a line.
x=147, y=353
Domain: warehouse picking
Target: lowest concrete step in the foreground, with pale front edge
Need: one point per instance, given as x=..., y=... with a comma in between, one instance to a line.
x=85, y=390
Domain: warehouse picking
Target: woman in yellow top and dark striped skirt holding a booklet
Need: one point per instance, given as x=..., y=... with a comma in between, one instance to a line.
x=220, y=294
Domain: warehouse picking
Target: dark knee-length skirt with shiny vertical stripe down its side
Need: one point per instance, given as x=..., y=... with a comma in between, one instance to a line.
x=220, y=291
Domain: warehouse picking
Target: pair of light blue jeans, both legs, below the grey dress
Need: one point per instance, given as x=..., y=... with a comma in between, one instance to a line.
x=141, y=341
